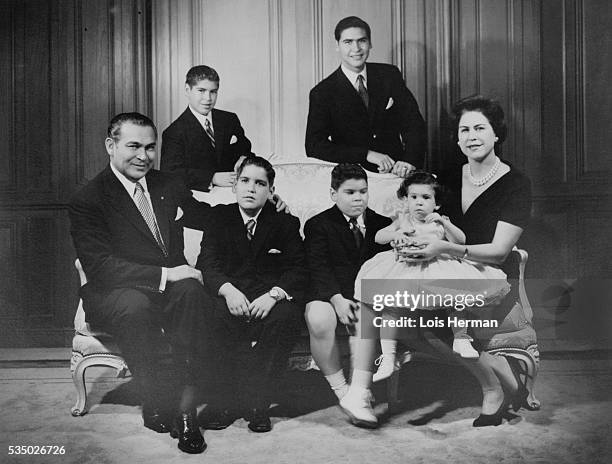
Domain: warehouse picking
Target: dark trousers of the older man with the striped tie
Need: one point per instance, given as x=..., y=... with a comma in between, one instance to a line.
x=135, y=317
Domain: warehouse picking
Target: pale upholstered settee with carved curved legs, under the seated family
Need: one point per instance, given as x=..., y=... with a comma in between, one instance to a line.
x=304, y=186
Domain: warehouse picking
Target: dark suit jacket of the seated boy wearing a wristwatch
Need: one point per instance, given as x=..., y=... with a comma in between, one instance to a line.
x=254, y=267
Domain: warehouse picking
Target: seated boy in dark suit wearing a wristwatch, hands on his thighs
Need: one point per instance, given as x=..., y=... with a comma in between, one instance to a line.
x=252, y=260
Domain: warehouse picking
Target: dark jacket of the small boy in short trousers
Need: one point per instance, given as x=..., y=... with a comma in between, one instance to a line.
x=332, y=255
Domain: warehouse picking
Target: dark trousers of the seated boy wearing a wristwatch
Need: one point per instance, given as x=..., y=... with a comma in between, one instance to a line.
x=250, y=356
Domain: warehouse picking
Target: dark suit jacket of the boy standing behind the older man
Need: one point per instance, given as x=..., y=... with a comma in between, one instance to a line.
x=187, y=149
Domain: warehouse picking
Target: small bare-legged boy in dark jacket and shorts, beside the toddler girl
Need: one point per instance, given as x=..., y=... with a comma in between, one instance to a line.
x=338, y=241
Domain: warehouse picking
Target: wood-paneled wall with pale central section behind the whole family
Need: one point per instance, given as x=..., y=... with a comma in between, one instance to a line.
x=68, y=65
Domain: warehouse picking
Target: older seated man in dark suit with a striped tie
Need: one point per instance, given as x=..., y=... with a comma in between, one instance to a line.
x=127, y=230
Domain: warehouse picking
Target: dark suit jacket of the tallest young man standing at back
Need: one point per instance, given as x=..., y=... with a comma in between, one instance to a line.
x=341, y=129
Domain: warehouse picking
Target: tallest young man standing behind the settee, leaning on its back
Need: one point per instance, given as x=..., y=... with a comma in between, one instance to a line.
x=364, y=113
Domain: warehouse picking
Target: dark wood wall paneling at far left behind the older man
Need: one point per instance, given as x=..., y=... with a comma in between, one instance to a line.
x=67, y=67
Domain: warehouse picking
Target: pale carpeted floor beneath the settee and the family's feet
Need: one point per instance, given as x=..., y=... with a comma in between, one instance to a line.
x=432, y=426
